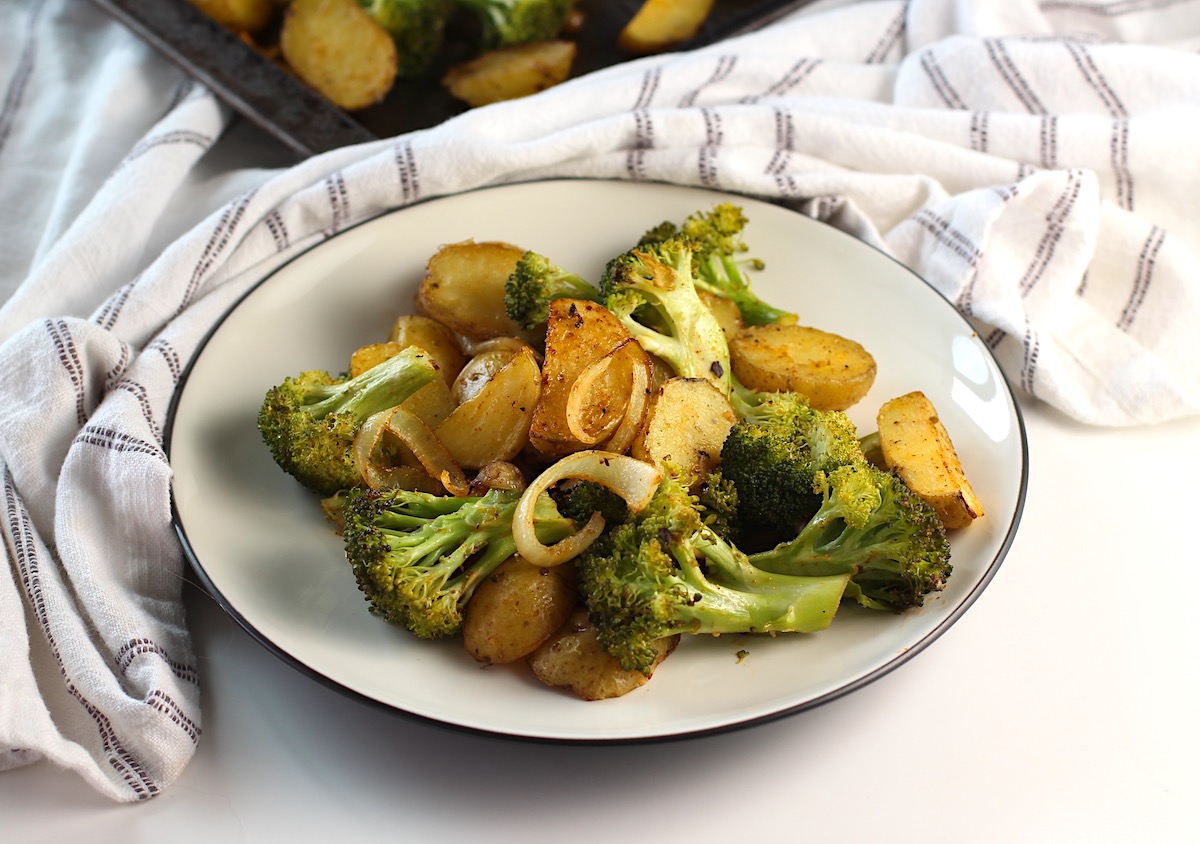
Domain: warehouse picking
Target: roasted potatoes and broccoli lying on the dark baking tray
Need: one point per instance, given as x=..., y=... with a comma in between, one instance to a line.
x=355, y=51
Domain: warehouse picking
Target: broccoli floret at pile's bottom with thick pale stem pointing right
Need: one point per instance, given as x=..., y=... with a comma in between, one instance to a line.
x=667, y=572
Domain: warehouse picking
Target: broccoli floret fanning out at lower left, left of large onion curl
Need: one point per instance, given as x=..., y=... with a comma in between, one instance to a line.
x=418, y=558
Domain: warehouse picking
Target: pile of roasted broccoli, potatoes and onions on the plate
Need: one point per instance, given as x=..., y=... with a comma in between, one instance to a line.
x=575, y=475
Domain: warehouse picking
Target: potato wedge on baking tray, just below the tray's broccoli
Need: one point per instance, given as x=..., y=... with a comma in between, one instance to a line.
x=511, y=73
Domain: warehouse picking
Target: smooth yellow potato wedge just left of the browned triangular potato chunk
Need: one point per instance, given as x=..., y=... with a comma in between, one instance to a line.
x=494, y=426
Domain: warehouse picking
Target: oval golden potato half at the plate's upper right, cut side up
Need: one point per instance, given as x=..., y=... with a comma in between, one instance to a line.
x=827, y=369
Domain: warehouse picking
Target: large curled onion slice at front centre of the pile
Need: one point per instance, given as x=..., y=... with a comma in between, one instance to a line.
x=628, y=477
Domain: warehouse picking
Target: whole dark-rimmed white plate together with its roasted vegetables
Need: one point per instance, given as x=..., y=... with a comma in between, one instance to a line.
x=673, y=463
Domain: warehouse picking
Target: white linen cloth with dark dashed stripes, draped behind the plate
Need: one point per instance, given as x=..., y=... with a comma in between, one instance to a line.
x=1034, y=161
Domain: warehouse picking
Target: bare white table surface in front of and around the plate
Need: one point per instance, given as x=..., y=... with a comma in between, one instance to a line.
x=1061, y=708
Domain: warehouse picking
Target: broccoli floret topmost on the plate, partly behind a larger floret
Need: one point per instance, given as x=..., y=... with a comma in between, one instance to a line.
x=719, y=264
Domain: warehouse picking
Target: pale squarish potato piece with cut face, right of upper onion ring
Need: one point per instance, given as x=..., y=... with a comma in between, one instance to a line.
x=686, y=428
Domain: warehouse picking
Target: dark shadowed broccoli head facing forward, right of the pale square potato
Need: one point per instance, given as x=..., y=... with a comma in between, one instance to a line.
x=775, y=456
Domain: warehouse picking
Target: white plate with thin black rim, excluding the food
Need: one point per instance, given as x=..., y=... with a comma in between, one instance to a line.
x=261, y=546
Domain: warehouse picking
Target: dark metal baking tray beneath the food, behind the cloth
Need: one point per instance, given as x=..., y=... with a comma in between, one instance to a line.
x=307, y=123
